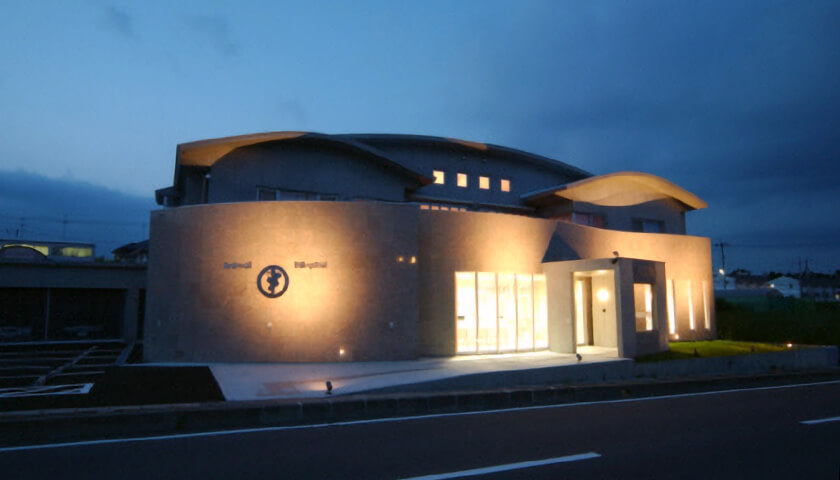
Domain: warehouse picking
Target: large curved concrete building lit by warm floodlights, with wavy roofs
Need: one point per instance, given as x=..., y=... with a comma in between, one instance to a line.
x=292, y=246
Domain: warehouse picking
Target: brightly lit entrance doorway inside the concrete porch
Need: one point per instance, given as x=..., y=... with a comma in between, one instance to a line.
x=595, y=312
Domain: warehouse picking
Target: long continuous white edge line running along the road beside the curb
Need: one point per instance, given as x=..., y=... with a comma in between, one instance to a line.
x=399, y=419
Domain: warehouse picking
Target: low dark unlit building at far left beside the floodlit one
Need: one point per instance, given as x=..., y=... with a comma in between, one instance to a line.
x=56, y=291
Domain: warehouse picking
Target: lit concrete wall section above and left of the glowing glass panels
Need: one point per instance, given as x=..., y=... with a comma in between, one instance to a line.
x=452, y=242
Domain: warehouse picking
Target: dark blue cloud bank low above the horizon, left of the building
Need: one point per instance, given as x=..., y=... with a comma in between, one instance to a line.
x=49, y=209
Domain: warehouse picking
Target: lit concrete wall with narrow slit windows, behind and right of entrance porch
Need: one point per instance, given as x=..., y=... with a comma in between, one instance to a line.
x=686, y=258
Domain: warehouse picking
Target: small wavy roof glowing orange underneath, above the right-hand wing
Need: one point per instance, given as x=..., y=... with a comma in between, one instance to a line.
x=620, y=189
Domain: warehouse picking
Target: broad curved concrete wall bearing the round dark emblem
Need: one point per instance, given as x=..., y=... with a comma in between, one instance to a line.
x=363, y=300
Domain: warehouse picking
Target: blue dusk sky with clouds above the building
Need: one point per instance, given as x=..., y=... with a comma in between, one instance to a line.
x=737, y=102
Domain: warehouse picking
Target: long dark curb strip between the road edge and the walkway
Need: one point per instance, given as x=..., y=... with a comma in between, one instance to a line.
x=51, y=426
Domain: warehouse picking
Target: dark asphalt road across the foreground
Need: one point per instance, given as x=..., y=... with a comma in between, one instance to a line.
x=746, y=434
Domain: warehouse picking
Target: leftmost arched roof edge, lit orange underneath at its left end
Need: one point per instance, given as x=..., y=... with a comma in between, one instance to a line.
x=204, y=153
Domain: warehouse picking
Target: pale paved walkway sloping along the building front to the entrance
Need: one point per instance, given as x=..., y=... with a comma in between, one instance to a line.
x=262, y=381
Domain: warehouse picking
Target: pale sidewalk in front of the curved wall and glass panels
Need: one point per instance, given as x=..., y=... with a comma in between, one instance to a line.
x=264, y=381
